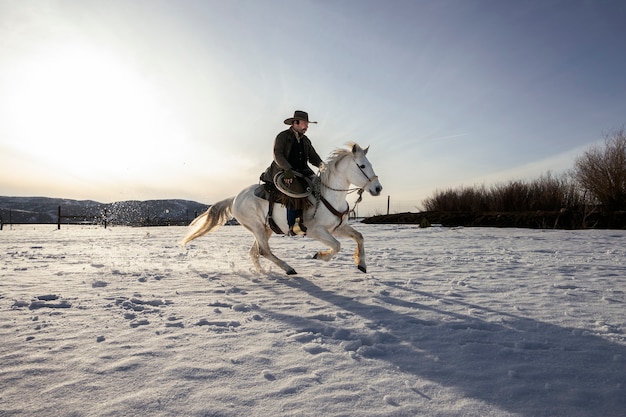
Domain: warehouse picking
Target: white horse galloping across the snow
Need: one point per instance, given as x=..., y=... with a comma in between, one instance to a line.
x=344, y=167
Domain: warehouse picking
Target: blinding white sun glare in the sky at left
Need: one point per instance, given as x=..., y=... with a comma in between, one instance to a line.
x=83, y=110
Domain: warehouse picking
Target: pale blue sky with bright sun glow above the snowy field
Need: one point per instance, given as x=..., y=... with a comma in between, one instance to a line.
x=147, y=99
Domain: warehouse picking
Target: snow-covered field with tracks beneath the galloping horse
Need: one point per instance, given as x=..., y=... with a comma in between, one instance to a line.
x=447, y=322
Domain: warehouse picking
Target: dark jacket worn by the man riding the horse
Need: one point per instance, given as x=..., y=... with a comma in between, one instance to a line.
x=282, y=148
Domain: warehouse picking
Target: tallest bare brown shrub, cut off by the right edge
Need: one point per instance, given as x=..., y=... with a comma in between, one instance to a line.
x=602, y=171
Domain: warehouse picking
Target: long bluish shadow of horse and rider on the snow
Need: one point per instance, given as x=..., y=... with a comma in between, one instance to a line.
x=518, y=364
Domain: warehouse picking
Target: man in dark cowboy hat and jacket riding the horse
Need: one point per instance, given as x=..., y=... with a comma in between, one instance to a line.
x=293, y=152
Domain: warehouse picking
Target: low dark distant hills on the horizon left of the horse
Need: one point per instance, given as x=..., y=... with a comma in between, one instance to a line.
x=41, y=210
